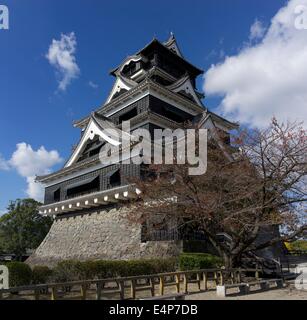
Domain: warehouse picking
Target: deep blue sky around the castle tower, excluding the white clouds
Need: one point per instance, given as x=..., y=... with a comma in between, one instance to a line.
x=34, y=111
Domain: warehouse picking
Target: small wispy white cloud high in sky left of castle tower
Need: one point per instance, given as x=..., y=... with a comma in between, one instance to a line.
x=61, y=55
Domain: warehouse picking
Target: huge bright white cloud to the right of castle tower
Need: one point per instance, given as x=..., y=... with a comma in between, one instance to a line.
x=268, y=78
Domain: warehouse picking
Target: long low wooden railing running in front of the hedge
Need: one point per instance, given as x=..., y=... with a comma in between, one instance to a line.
x=127, y=287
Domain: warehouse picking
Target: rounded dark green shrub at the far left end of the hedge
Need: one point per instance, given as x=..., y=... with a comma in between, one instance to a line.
x=20, y=274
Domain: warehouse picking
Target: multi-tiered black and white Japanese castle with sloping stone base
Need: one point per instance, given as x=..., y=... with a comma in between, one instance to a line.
x=154, y=88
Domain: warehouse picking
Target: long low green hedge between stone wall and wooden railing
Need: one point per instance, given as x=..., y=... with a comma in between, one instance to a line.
x=72, y=270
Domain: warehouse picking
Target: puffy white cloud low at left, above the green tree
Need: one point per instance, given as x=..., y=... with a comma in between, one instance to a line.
x=30, y=163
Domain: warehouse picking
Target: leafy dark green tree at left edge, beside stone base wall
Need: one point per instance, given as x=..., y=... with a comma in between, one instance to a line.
x=22, y=228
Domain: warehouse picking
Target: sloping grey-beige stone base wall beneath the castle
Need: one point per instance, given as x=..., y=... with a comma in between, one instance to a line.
x=105, y=234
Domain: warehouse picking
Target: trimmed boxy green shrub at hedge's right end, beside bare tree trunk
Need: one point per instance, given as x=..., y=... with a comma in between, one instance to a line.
x=194, y=261
